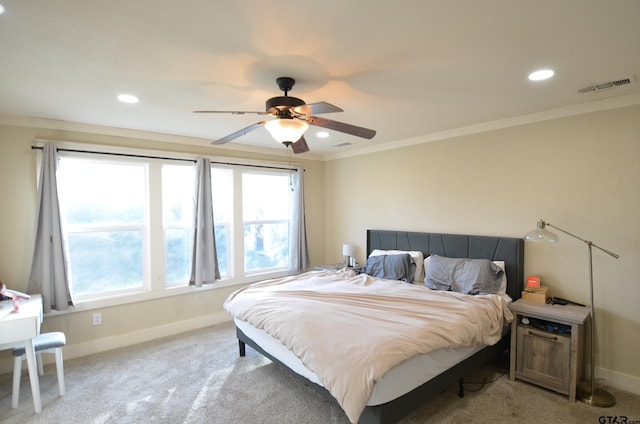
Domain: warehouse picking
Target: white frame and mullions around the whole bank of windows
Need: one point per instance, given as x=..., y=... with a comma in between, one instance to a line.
x=153, y=240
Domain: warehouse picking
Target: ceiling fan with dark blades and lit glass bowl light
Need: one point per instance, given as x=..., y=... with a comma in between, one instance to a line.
x=292, y=118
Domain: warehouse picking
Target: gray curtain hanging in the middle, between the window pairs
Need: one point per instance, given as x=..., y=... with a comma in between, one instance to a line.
x=204, y=260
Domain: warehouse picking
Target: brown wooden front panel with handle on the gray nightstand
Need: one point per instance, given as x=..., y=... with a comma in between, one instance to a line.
x=543, y=358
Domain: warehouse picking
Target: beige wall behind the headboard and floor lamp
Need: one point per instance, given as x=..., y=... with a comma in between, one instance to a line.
x=581, y=173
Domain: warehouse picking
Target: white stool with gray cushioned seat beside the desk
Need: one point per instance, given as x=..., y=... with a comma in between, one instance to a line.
x=43, y=343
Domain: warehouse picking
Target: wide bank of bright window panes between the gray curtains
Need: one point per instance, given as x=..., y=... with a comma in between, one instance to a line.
x=128, y=224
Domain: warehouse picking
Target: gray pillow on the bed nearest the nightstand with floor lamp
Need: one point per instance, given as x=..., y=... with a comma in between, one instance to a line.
x=463, y=275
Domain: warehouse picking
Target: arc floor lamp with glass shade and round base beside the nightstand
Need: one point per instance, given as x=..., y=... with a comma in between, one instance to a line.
x=587, y=394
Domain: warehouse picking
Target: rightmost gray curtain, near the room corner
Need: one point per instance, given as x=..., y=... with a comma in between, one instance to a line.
x=298, y=250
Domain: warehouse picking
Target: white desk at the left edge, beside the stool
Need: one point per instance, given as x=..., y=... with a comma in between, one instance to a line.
x=18, y=330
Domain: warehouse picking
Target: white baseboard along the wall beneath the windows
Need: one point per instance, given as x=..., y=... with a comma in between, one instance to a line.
x=78, y=350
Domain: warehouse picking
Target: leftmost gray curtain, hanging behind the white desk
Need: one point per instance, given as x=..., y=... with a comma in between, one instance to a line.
x=49, y=275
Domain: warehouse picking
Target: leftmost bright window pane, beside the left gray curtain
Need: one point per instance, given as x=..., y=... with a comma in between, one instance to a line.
x=105, y=219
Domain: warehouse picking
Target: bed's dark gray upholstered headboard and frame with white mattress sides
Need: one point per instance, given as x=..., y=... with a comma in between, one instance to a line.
x=406, y=386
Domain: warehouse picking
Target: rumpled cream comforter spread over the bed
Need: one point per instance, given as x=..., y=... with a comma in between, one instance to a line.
x=351, y=329
